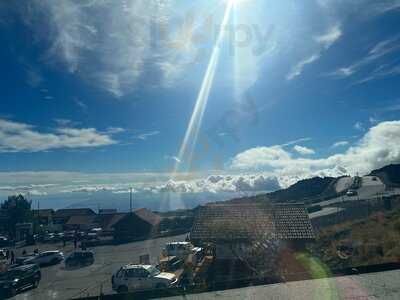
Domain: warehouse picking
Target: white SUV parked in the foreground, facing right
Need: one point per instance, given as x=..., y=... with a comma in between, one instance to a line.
x=141, y=277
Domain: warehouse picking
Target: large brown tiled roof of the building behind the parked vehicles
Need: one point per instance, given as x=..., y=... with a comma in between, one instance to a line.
x=246, y=221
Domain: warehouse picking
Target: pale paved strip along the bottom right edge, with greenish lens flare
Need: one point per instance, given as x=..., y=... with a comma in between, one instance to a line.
x=383, y=285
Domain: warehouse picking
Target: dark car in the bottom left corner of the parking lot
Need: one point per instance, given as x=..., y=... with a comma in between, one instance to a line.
x=19, y=278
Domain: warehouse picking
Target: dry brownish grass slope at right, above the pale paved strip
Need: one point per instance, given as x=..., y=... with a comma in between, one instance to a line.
x=373, y=240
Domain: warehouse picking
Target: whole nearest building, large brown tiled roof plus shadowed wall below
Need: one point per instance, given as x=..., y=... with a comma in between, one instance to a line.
x=234, y=228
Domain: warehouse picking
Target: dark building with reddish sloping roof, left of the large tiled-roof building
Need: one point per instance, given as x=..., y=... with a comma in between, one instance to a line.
x=141, y=223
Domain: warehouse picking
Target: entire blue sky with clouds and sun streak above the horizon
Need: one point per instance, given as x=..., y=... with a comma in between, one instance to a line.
x=106, y=91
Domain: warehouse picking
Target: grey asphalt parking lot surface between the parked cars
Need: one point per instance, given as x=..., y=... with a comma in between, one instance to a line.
x=61, y=283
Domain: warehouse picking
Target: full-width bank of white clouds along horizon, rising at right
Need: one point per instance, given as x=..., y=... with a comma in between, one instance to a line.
x=259, y=169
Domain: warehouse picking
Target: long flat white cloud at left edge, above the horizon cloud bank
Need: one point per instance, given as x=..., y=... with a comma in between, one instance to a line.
x=20, y=137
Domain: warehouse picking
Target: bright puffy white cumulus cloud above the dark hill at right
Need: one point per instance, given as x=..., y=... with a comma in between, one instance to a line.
x=378, y=147
